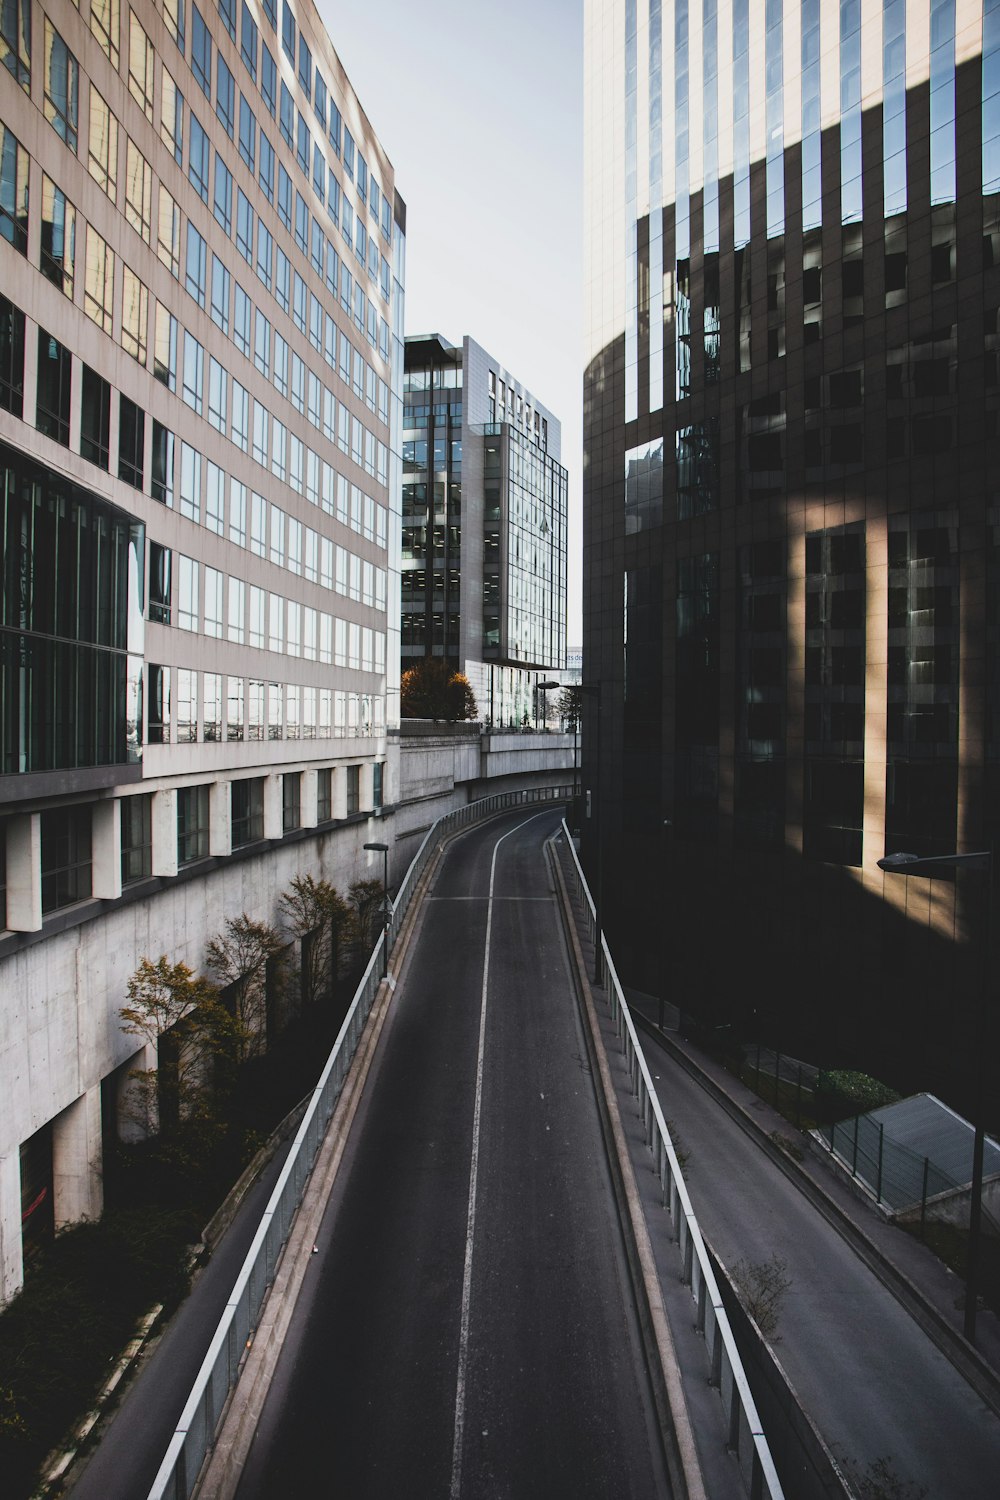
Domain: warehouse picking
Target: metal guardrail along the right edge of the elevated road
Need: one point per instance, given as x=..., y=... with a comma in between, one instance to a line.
x=746, y=1436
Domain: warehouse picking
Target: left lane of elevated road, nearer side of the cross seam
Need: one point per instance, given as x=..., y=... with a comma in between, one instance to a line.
x=364, y=1394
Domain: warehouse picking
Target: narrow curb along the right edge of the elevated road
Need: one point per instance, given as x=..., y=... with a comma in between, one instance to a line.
x=672, y=1409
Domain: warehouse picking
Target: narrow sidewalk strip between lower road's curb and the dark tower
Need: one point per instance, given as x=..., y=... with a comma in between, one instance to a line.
x=930, y=1291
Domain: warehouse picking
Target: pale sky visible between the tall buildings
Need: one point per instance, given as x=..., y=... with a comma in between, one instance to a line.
x=481, y=110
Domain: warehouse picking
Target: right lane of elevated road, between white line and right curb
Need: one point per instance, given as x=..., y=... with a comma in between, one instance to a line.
x=558, y=1397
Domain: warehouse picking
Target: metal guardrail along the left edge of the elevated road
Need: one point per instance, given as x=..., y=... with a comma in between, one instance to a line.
x=221, y=1369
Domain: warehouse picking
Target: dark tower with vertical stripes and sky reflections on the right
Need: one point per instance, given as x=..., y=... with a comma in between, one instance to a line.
x=791, y=505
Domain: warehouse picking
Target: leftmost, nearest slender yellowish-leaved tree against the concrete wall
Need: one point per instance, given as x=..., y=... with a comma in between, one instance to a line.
x=182, y=1018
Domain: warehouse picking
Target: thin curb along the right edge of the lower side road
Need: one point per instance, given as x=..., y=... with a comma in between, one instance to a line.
x=956, y=1349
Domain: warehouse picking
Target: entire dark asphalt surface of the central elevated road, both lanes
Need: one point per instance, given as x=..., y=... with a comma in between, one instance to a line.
x=467, y=1327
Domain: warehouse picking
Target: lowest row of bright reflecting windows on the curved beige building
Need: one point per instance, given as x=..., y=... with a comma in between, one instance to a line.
x=185, y=707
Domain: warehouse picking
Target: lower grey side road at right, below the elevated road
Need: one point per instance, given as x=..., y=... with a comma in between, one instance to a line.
x=863, y=1369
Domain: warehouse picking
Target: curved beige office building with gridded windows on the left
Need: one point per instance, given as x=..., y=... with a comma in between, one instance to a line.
x=200, y=470
